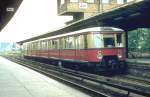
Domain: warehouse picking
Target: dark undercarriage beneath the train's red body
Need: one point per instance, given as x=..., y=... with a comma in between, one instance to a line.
x=109, y=65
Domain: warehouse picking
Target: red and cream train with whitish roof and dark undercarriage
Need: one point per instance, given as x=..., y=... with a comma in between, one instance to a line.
x=96, y=49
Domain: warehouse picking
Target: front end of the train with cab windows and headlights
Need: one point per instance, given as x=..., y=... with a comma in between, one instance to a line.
x=109, y=50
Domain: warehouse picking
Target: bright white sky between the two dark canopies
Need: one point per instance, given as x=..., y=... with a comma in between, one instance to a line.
x=33, y=18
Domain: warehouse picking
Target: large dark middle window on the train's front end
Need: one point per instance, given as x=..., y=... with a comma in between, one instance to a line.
x=109, y=41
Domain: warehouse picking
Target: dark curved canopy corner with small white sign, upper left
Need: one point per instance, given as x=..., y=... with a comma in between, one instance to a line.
x=7, y=10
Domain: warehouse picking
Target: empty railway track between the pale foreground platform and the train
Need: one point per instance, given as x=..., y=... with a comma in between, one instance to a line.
x=98, y=85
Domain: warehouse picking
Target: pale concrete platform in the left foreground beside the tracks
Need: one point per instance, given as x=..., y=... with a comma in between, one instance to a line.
x=19, y=81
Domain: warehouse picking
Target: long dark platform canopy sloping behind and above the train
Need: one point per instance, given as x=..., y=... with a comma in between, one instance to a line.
x=127, y=17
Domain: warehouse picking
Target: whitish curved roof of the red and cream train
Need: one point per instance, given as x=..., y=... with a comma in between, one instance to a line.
x=92, y=29
